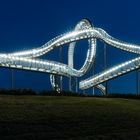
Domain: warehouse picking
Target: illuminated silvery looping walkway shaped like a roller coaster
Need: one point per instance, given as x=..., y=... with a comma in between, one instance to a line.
x=29, y=59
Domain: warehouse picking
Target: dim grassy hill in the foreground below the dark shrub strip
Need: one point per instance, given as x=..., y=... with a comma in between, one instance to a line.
x=72, y=118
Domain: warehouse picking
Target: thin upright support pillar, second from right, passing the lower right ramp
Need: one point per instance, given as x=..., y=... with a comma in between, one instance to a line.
x=105, y=66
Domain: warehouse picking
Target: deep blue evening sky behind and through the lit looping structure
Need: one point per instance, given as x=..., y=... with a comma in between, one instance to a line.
x=28, y=24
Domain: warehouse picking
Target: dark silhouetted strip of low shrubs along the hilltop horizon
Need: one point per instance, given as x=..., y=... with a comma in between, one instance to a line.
x=65, y=93
